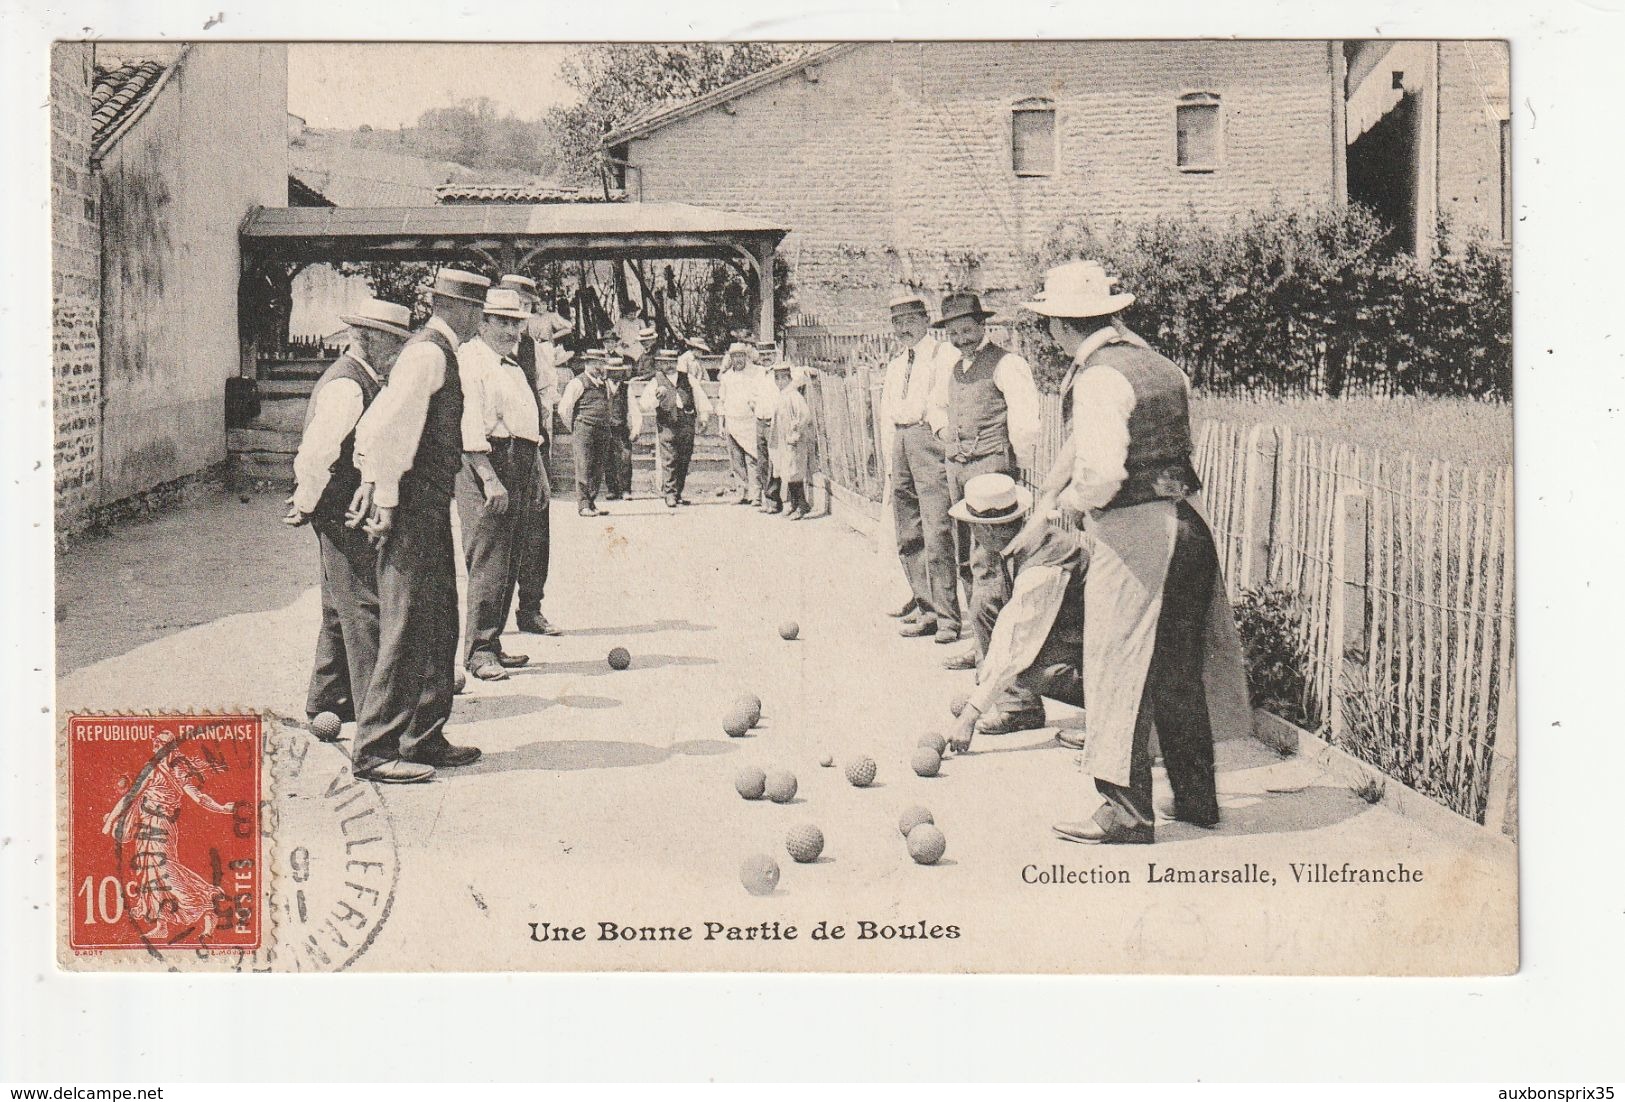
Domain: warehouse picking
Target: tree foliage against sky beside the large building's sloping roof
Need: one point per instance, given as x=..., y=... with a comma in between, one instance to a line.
x=622, y=80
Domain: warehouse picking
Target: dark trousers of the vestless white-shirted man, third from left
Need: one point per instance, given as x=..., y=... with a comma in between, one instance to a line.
x=493, y=540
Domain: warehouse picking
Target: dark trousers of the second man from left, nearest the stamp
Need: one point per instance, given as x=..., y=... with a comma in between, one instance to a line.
x=410, y=696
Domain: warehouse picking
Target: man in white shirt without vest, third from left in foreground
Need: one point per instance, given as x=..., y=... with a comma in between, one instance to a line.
x=498, y=490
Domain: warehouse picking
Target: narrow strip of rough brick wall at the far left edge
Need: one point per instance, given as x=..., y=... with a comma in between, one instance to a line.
x=76, y=275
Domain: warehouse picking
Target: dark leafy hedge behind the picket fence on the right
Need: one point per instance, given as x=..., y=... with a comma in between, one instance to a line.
x=1312, y=302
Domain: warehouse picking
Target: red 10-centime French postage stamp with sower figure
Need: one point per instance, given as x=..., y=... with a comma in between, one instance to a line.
x=163, y=833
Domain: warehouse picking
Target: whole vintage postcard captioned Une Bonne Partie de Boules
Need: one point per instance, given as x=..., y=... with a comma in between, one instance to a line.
x=890, y=506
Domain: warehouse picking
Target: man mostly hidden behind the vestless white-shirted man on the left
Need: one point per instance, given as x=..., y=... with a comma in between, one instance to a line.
x=540, y=358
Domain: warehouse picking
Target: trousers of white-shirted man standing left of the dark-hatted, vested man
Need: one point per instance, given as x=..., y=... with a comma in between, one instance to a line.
x=925, y=532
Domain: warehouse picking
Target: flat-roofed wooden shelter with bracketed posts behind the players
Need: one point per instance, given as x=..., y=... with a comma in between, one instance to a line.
x=509, y=236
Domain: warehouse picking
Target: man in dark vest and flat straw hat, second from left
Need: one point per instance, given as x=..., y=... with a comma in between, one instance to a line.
x=410, y=449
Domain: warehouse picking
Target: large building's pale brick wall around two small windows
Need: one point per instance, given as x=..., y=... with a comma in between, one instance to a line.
x=895, y=165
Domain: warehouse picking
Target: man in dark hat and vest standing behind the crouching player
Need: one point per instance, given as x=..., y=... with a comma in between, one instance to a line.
x=992, y=430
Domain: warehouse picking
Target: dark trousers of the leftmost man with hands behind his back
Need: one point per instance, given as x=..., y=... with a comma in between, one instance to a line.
x=347, y=646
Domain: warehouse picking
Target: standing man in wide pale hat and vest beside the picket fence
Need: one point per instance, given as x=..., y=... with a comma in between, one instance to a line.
x=1159, y=644
